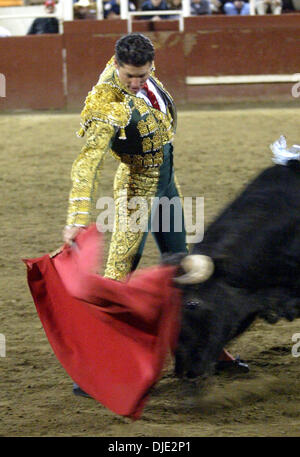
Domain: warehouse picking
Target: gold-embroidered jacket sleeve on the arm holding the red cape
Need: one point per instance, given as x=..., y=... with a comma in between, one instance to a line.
x=85, y=173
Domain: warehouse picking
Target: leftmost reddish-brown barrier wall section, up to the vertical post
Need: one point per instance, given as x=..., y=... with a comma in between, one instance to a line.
x=33, y=70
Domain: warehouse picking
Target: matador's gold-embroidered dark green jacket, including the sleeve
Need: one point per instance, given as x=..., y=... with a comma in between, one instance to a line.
x=115, y=120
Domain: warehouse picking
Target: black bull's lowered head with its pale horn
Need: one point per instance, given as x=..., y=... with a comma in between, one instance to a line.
x=213, y=313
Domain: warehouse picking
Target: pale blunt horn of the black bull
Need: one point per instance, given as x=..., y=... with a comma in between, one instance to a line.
x=198, y=268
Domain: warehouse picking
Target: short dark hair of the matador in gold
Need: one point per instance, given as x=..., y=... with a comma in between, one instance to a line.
x=134, y=49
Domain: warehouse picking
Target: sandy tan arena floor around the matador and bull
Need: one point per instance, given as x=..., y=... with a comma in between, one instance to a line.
x=216, y=153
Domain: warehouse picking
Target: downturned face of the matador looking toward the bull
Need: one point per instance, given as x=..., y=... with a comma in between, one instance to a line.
x=132, y=77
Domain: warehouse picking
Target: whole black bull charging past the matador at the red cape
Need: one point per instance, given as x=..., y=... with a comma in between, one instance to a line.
x=255, y=246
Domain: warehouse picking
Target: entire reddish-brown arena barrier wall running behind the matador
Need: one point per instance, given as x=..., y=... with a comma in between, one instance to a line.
x=57, y=71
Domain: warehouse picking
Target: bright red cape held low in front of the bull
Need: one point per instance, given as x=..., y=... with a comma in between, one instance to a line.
x=111, y=337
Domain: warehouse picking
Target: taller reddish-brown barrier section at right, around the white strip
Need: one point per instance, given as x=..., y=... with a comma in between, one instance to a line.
x=251, y=45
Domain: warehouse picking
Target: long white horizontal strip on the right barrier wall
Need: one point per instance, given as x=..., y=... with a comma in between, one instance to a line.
x=242, y=79
